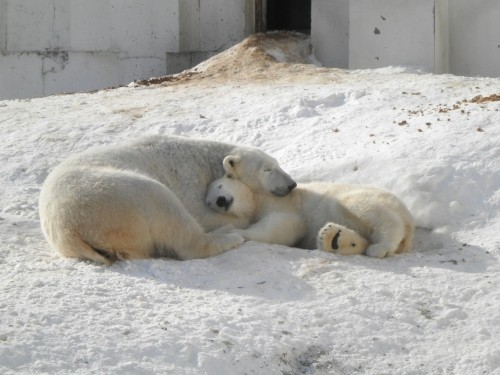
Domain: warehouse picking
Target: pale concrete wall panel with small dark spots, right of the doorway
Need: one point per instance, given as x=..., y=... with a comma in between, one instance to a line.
x=391, y=32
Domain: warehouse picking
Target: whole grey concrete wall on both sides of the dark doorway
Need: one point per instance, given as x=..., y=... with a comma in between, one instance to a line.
x=54, y=46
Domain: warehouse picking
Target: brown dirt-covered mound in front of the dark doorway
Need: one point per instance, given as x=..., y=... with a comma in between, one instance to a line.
x=283, y=56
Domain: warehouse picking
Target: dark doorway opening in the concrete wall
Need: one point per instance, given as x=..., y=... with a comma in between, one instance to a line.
x=294, y=15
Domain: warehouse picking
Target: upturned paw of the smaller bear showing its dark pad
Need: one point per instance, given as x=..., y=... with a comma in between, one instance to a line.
x=335, y=238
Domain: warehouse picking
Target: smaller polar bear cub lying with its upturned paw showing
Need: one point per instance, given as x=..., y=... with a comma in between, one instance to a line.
x=342, y=218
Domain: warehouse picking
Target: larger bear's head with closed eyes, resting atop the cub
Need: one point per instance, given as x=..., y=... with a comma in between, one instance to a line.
x=260, y=172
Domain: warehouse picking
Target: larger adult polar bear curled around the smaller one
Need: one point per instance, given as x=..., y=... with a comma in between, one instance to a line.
x=146, y=199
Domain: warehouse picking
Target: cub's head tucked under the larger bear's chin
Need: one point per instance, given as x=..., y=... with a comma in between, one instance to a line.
x=230, y=196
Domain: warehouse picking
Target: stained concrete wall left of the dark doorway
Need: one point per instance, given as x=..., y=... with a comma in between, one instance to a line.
x=54, y=46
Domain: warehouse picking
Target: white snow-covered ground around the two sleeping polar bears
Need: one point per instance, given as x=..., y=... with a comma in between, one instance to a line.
x=268, y=309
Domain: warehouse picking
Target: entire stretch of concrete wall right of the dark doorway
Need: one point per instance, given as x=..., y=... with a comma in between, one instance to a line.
x=441, y=36
